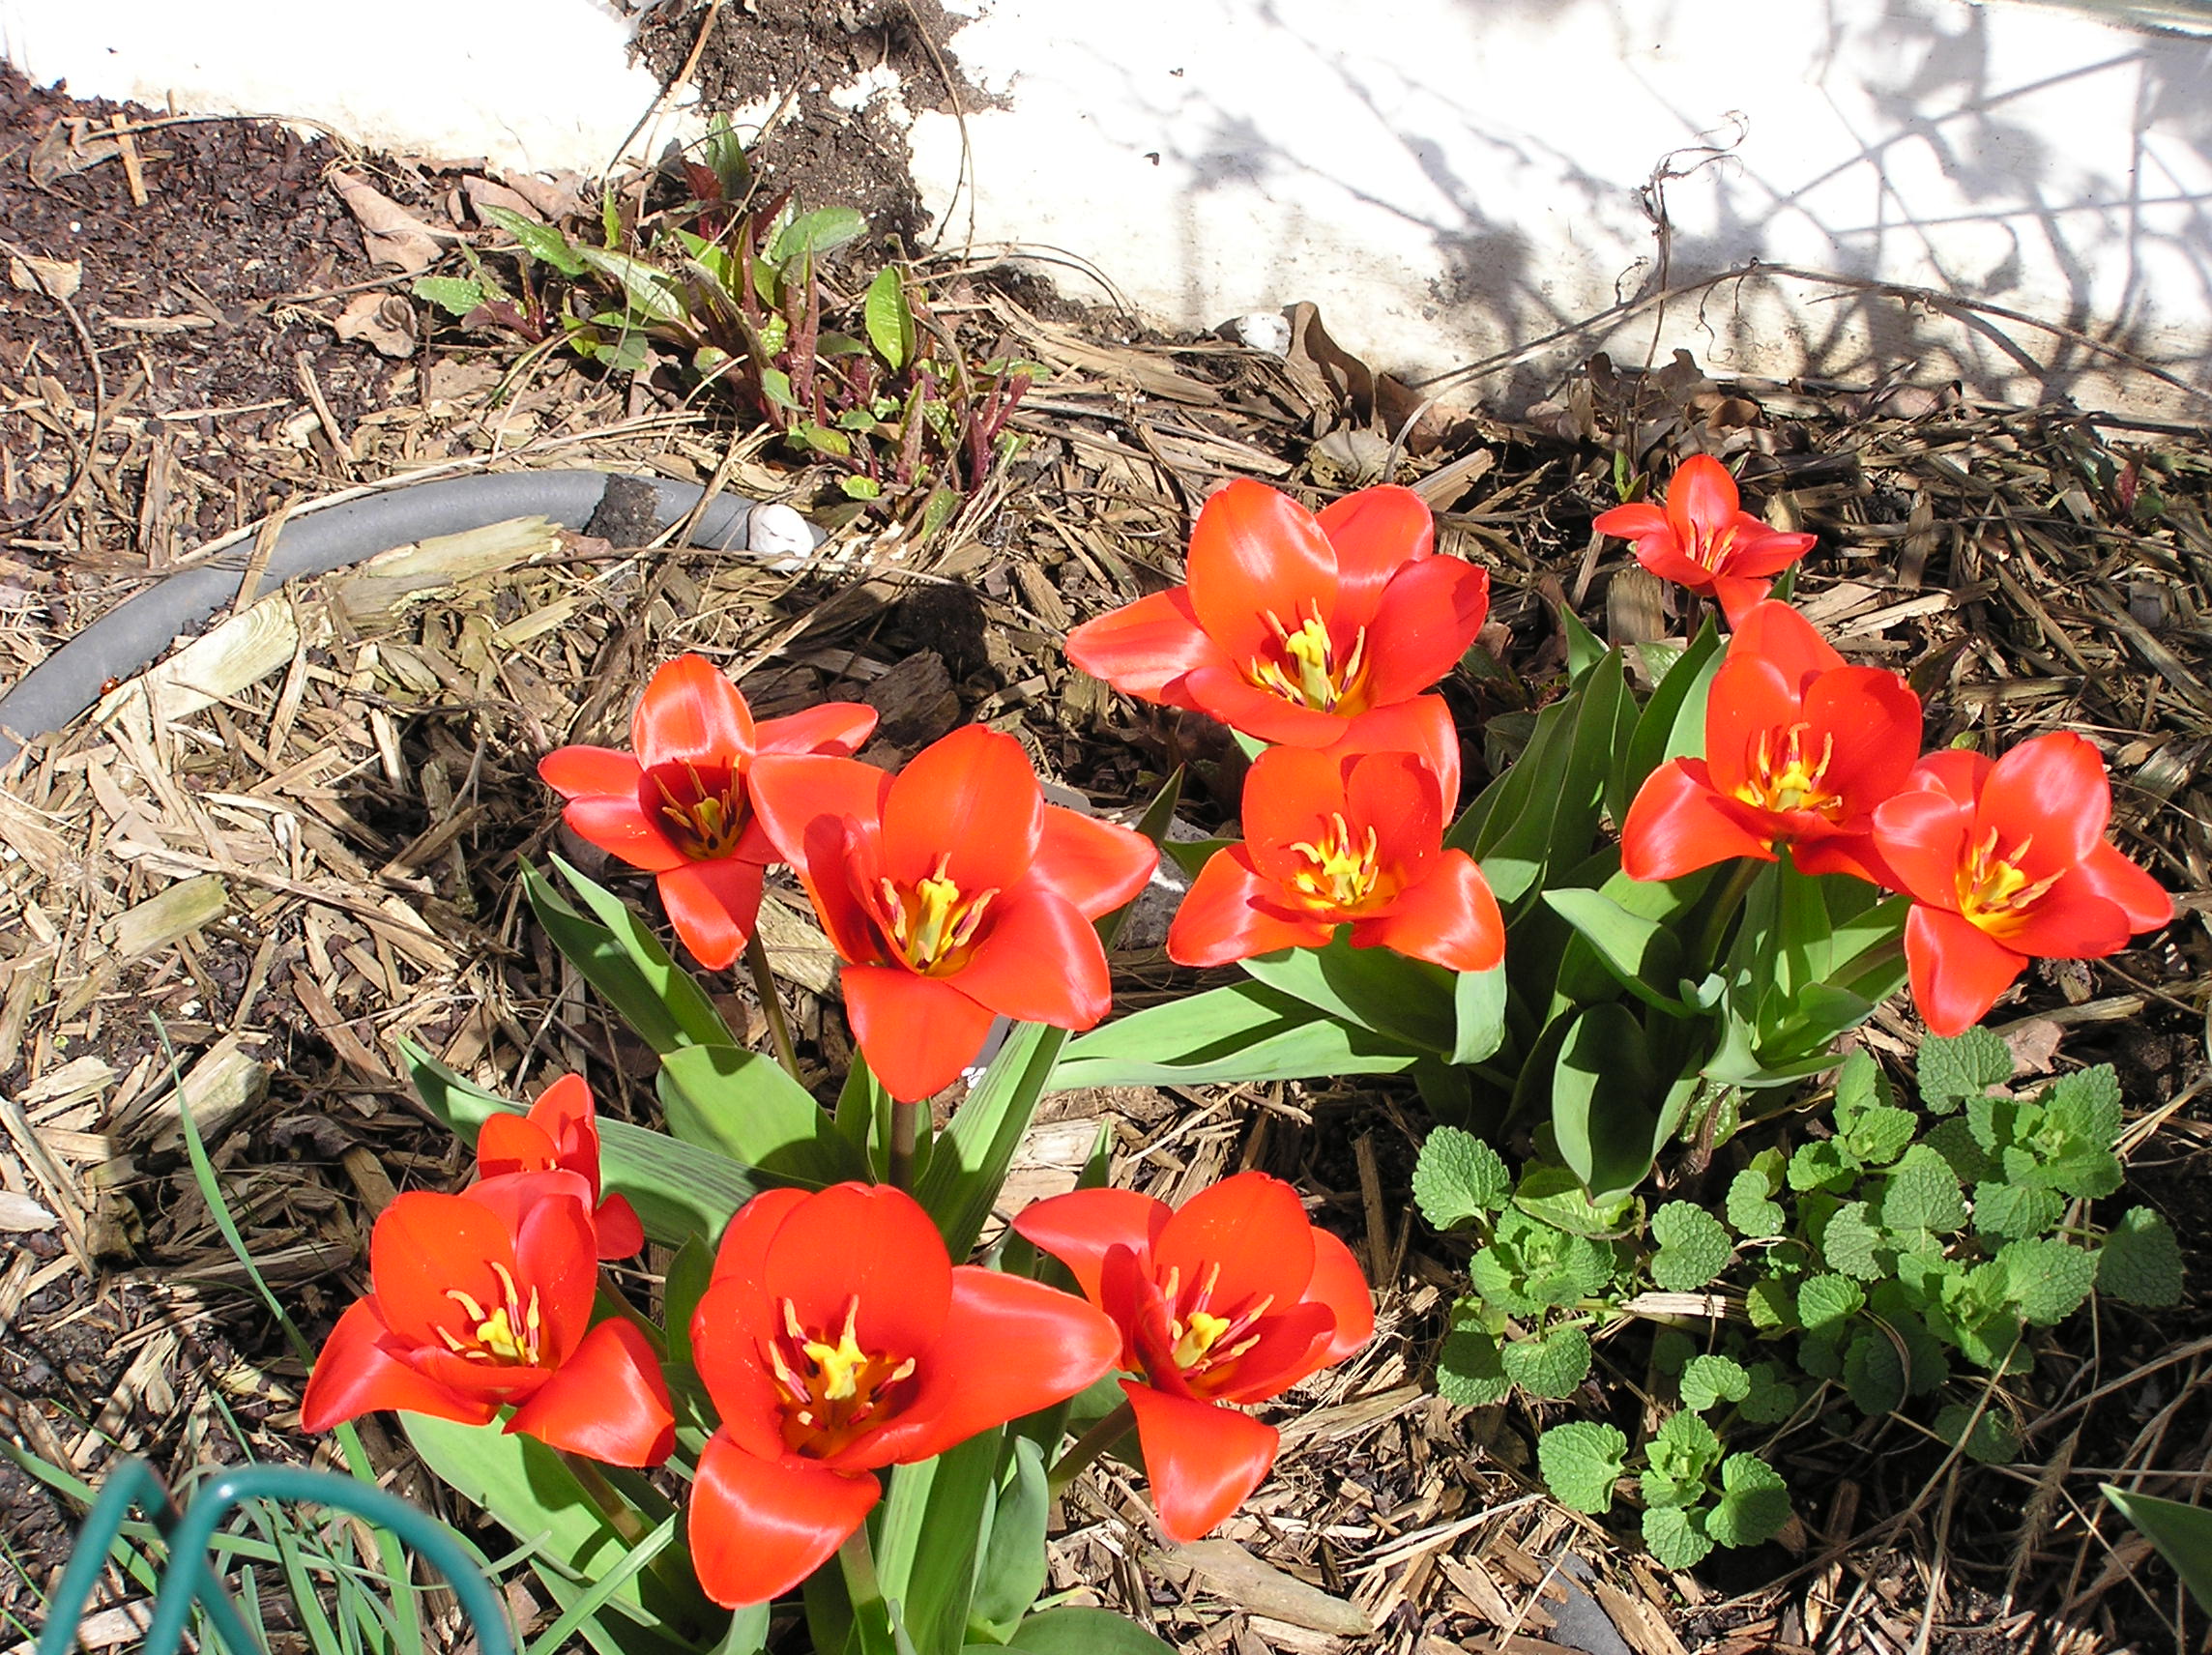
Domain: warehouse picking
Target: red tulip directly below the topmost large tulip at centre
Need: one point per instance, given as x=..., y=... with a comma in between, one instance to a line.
x=1348, y=835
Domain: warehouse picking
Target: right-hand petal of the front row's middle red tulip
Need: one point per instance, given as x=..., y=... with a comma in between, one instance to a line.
x=1010, y=1349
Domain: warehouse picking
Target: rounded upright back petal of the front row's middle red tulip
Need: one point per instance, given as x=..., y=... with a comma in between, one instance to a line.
x=870, y=1247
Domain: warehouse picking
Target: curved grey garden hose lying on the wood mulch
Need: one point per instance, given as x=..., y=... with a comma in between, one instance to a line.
x=132, y=636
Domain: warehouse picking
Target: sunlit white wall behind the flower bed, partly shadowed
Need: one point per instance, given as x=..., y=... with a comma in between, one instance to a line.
x=1443, y=178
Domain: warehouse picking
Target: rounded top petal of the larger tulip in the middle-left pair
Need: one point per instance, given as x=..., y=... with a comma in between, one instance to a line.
x=970, y=806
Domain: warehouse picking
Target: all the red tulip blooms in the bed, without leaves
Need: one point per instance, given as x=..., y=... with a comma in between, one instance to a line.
x=837, y=1337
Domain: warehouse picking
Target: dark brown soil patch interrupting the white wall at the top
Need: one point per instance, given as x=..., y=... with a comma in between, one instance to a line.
x=771, y=50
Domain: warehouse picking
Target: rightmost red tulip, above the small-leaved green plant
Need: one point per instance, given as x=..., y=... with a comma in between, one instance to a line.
x=2007, y=862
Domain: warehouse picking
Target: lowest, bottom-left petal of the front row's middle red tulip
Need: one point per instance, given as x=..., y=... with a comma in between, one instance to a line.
x=758, y=1528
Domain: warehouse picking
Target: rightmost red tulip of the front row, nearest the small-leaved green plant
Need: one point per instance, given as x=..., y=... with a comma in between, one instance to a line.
x=1231, y=1300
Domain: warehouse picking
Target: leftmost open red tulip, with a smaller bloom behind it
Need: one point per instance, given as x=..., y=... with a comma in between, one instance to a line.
x=483, y=1302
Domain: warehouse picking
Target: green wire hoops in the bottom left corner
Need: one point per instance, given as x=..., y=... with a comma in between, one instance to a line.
x=189, y=1579
